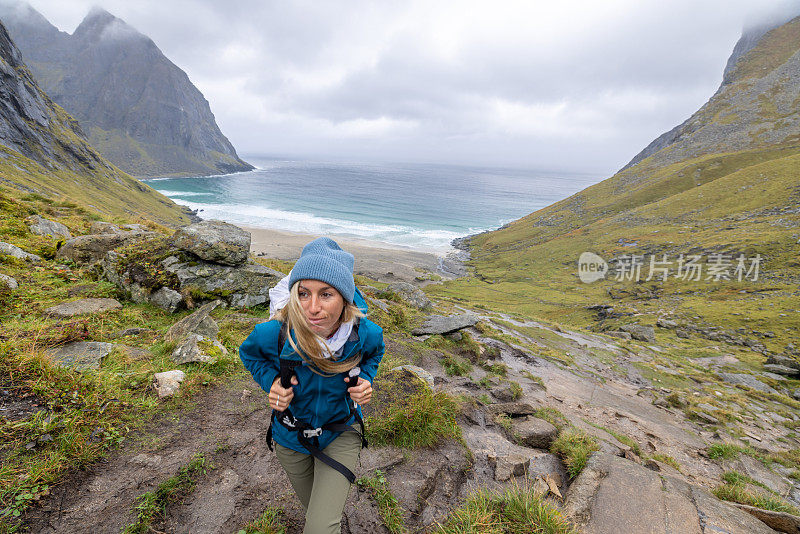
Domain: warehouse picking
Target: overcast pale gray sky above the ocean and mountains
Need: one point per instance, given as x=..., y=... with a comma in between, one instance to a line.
x=569, y=85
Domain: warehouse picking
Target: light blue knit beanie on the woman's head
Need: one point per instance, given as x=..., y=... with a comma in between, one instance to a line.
x=324, y=260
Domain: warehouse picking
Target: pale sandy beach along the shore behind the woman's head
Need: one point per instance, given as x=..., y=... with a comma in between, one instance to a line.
x=379, y=261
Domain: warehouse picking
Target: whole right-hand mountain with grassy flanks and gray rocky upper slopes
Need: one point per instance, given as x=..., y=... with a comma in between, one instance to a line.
x=722, y=186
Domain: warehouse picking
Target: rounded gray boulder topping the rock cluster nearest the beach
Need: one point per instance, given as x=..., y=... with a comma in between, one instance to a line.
x=215, y=241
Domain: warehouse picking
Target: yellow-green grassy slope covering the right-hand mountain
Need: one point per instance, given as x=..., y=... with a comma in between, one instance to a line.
x=745, y=201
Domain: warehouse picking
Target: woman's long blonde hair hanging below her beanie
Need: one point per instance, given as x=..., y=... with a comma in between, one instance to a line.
x=308, y=341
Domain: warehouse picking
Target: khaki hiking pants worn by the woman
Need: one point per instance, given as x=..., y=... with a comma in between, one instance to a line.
x=321, y=489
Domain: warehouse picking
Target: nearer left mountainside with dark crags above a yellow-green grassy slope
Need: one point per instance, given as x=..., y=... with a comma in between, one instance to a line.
x=44, y=151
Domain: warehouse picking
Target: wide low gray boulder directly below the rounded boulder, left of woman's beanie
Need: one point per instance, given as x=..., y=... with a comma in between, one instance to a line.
x=243, y=287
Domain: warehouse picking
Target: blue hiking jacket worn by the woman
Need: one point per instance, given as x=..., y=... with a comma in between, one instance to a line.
x=317, y=399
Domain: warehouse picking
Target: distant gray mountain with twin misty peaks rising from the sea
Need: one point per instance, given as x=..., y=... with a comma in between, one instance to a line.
x=138, y=108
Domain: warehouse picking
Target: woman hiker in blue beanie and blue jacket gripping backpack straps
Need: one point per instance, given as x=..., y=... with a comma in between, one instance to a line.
x=308, y=376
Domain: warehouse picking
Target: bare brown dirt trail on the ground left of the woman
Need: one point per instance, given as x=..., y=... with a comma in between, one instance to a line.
x=225, y=425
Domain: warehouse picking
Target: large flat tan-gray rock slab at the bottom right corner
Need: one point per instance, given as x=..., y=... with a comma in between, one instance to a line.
x=613, y=494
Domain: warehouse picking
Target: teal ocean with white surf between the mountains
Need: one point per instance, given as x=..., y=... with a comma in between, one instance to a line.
x=420, y=206
